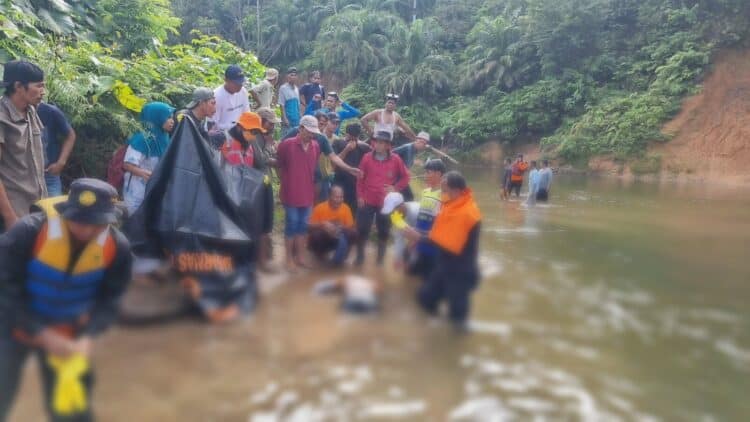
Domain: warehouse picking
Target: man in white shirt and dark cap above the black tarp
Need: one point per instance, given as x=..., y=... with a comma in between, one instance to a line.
x=232, y=99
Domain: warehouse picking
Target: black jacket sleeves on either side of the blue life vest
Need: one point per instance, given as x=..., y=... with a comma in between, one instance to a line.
x=16, y=247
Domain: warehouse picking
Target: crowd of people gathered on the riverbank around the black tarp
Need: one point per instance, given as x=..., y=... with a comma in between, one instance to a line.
x=64, y=265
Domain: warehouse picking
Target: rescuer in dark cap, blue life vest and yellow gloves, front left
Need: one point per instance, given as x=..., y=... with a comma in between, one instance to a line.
x=62, y=273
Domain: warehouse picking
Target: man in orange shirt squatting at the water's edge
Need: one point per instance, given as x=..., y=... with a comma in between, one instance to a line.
x=331, y=229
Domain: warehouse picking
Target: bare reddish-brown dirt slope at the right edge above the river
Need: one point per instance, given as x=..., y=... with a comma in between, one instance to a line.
x=712, y=132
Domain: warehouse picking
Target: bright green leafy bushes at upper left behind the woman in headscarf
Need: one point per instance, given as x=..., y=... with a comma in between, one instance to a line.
x=91, y=50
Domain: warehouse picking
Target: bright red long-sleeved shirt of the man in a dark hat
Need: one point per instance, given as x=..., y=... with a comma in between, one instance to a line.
x=376, y=174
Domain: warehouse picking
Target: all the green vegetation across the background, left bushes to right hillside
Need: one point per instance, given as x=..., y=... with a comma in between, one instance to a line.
x=583, y=76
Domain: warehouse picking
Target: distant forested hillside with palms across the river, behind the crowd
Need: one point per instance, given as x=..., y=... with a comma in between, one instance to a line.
x=584, y=76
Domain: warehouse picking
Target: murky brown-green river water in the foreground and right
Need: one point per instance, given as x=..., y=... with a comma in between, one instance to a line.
x=615, y=302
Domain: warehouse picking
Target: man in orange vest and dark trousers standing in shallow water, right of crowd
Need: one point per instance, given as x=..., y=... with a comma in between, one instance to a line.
x=455, y=233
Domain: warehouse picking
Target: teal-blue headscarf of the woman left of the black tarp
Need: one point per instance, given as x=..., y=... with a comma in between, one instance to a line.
x=153, y=141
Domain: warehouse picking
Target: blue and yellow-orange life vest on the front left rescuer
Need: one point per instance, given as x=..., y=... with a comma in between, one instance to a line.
x=60, y=290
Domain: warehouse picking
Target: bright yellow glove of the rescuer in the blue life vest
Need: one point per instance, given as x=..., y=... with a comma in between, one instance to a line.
x=69, y=394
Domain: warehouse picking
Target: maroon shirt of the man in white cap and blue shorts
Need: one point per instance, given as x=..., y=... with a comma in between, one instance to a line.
x=297, y=172
